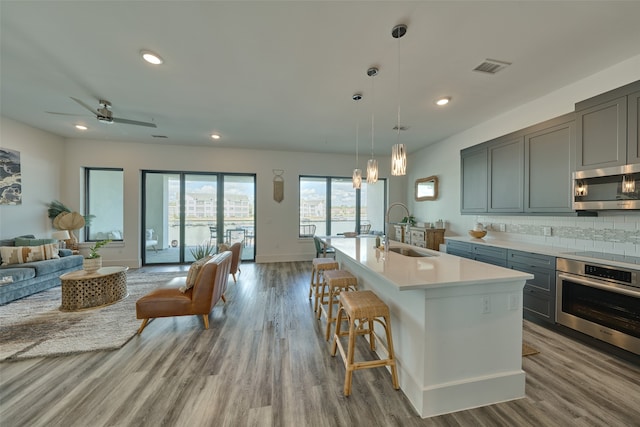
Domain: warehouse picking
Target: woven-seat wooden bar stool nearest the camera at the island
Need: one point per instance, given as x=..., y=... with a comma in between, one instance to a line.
x=366, y=308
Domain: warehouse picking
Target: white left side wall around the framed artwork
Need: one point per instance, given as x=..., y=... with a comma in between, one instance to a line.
x=41, y=161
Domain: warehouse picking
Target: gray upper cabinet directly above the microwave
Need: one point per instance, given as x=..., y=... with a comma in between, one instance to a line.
x=602, y=127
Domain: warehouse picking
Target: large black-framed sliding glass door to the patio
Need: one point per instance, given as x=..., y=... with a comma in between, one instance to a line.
x=182, y=211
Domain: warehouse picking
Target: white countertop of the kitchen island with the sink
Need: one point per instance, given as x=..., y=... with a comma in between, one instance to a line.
x=406, y=273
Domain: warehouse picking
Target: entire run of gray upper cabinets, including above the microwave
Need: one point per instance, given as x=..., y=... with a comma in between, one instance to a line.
x=529, y=171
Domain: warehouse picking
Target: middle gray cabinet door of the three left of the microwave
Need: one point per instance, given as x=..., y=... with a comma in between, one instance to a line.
x=506, y=174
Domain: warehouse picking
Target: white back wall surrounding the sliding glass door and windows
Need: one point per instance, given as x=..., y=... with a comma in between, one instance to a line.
x=276, y=223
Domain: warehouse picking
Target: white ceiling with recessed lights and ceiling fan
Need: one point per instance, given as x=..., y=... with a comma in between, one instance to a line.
x=280, y=75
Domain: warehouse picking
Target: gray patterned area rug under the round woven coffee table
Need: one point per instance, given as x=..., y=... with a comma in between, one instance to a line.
x=35, y=326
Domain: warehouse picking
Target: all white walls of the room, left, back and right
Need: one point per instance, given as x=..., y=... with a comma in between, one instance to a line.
x=51, y=169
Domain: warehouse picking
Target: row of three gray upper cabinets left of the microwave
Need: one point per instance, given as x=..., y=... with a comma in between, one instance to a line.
x=528, y=171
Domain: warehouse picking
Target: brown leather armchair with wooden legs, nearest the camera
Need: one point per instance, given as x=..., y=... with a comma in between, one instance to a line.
x=169, y=301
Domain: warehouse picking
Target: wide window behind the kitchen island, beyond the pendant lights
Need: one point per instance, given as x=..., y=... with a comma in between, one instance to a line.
x=332, y=206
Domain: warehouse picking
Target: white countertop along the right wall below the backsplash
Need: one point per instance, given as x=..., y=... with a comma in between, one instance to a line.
x=605, y=258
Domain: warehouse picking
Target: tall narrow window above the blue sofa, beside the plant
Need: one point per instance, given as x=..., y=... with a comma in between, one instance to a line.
x=104, y=203
